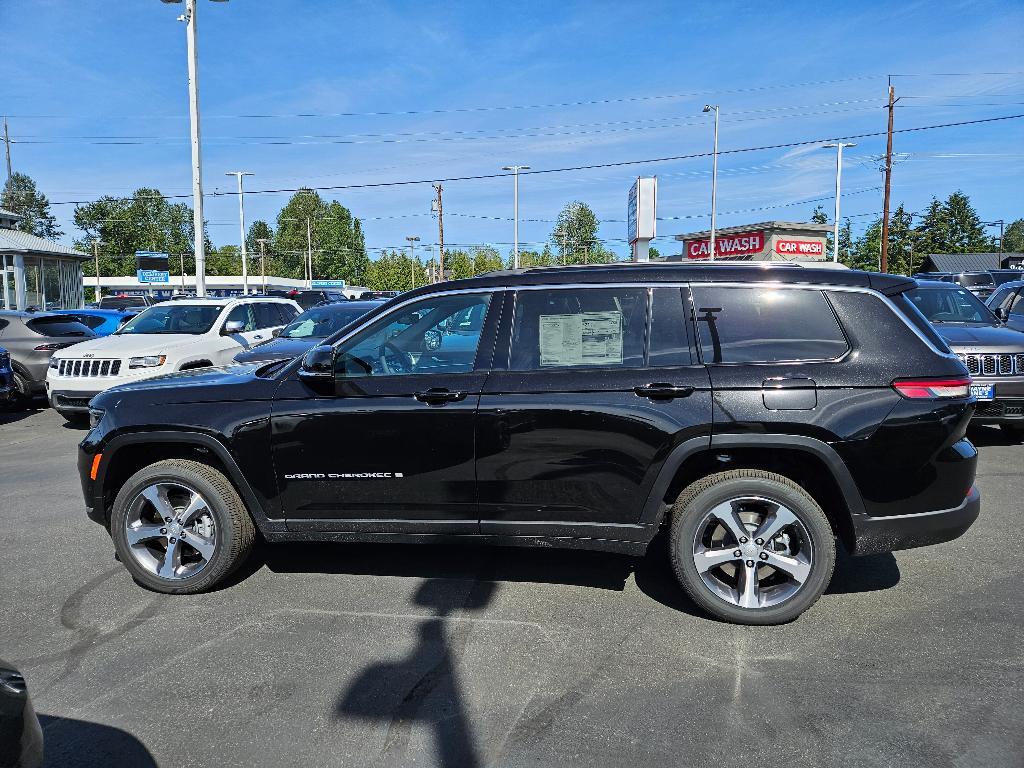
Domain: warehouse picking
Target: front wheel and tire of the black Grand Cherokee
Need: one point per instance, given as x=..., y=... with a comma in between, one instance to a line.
x=181, y=527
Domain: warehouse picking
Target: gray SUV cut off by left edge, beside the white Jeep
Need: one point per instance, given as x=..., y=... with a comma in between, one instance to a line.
x=32, y=338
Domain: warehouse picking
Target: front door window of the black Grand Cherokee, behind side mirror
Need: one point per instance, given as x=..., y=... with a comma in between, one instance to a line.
x=440, y=334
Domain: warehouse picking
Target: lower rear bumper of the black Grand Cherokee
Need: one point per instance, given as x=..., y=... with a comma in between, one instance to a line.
x=907, y=532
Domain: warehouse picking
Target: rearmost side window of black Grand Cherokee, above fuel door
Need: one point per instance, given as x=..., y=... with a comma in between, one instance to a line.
x=766, y=325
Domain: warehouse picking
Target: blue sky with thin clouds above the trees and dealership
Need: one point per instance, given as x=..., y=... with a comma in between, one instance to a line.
x=788, y=72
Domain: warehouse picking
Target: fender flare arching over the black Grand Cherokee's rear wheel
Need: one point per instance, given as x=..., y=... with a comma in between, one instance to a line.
x=819, y=449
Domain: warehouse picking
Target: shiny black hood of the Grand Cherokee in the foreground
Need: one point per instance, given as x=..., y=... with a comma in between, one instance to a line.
x=201, y=386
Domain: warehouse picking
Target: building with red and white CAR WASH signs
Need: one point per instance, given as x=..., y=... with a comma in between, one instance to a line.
x=770, y=241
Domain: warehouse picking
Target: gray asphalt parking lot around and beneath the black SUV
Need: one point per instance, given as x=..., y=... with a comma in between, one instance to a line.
x=358, y=656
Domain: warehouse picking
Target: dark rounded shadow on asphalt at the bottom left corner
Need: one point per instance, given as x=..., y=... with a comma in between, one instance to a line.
x=77, y=744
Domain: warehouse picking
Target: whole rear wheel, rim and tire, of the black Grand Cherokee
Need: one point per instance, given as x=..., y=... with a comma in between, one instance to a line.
x=751, y=546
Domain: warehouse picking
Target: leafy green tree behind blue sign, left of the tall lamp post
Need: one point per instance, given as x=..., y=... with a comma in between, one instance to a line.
x=146, y=222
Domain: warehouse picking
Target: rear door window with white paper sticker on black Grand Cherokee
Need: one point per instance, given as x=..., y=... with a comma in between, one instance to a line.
x=576, y=328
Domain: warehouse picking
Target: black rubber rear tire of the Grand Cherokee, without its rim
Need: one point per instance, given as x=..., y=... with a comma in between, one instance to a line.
x=699, y=499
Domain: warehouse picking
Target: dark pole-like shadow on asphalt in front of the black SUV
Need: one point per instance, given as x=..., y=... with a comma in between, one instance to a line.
x=424, y=687
